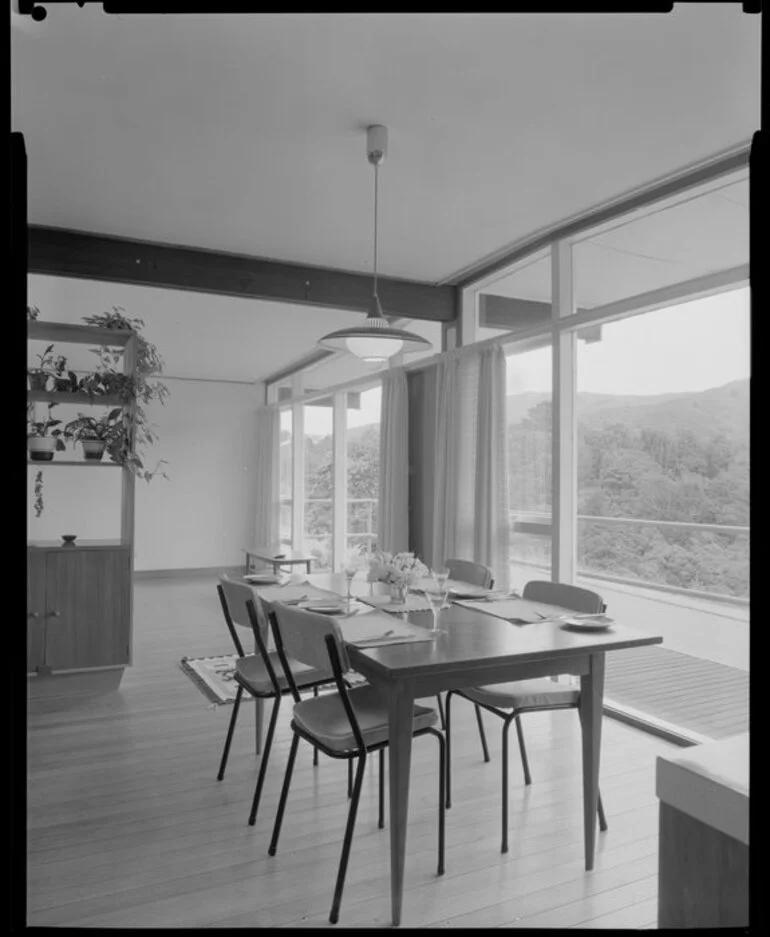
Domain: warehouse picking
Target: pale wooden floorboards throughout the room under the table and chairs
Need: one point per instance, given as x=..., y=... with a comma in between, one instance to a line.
x=128, y=826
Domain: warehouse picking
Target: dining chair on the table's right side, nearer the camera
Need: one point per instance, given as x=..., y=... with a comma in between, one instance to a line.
x=510, y=701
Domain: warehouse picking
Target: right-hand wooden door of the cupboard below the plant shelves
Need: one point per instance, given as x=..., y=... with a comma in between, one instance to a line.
x=88, y=599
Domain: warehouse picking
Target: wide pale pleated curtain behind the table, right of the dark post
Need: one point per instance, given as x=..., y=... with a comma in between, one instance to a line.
x=470, y=500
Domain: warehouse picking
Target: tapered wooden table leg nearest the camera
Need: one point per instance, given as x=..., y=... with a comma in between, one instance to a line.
x=401, y=715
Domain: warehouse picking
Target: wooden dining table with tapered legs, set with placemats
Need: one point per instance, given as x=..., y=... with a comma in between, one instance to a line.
x=470, y=647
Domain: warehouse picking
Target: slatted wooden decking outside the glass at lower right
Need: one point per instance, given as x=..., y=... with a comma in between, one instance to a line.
x=704, y=697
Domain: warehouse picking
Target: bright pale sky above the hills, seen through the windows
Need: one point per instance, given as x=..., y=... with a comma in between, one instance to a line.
x=689, y=347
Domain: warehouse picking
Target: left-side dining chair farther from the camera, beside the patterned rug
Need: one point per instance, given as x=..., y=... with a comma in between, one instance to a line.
x=261, y=673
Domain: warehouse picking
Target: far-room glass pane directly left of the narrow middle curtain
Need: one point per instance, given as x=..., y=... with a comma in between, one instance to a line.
x=362, y=470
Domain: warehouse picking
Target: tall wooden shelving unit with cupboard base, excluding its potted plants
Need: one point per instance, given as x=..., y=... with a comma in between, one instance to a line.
x=79, y=596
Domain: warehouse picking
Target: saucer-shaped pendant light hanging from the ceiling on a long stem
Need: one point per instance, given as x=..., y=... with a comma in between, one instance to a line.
x=376, y=339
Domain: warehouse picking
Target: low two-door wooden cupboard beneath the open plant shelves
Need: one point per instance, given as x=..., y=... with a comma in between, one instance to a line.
x=79, y=607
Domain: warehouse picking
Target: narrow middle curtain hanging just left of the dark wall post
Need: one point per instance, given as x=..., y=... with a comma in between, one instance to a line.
x=393, y=505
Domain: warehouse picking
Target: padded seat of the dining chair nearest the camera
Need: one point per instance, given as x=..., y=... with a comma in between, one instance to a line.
x=324, y=718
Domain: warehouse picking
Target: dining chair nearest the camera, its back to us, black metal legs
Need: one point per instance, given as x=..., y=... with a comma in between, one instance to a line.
x=347, y=724
